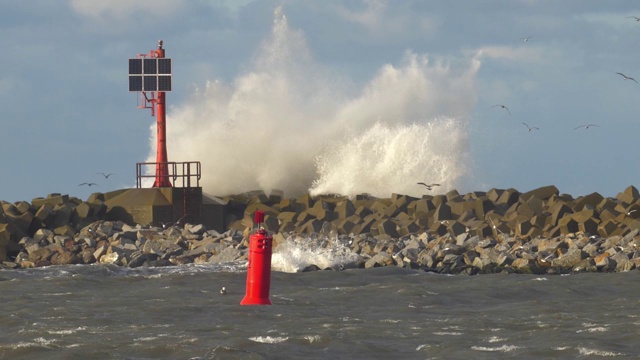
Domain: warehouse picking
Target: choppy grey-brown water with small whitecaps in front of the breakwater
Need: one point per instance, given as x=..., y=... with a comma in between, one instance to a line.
x=103, y=312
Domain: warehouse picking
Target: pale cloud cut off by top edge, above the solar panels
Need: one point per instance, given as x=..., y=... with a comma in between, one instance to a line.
x=120, y=9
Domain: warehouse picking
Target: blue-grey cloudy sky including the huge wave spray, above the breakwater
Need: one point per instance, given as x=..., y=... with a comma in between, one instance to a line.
x=328, y=96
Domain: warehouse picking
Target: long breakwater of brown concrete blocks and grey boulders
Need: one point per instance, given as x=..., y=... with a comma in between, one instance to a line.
x=501, y=230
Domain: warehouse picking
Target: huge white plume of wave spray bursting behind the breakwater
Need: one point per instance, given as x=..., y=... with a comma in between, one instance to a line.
x=292, y=124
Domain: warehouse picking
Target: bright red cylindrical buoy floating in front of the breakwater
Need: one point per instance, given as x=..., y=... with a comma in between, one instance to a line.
x=259, y=268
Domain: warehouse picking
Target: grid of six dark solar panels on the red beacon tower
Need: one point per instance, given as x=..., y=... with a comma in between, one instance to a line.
x=150, y=74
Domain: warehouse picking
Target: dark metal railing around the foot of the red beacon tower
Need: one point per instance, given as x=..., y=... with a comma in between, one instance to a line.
x=182, y=173
